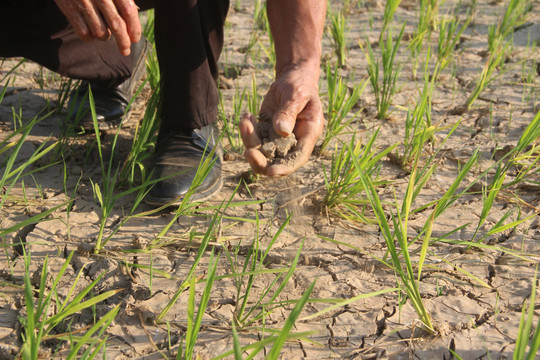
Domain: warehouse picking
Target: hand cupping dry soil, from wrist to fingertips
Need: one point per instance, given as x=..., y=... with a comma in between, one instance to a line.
x=293, y=105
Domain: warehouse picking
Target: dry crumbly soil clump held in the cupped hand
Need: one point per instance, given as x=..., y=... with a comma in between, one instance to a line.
x=274, y=147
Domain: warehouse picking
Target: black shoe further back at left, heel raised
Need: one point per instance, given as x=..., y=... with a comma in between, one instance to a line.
x=111, y=103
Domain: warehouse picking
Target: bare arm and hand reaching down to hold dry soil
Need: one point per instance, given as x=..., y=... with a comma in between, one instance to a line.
x=292, y=101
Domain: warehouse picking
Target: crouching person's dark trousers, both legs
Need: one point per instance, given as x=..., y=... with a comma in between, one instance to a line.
x=189, y=40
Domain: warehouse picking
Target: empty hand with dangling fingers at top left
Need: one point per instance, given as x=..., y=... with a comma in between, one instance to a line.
x=98, y=19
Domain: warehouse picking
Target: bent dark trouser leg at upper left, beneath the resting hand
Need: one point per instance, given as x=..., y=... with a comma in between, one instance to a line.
x=37, y=30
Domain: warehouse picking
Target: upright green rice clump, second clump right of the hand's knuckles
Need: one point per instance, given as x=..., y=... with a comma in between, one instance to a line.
x=384, y=72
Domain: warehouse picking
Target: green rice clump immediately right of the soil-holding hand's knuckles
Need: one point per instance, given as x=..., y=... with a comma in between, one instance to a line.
x=340, y=104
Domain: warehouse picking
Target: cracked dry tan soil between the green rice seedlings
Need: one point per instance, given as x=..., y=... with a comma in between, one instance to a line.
x=474, y=296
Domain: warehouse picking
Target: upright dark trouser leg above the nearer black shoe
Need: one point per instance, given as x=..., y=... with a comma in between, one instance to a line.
x=189, y=40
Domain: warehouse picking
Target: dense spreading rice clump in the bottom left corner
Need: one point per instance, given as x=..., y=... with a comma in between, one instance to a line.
x=40, y=321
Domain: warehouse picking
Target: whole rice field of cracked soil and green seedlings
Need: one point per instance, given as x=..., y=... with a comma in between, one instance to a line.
x=412, y=233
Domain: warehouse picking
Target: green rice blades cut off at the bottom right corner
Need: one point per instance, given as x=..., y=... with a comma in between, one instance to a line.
x=526, y=325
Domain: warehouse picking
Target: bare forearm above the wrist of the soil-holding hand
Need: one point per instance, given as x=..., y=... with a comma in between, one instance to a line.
x=297, y=27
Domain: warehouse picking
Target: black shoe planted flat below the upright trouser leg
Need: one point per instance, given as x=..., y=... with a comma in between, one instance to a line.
x=177, y=160
